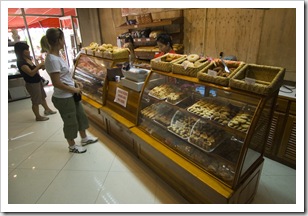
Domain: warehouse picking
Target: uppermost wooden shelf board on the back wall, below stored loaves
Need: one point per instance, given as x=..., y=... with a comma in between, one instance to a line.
x=163, y=22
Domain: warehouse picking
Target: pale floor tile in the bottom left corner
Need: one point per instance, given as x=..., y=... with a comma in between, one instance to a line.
x=25, y=186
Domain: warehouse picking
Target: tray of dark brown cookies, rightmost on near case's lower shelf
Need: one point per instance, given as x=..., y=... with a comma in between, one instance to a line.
x=205, y=137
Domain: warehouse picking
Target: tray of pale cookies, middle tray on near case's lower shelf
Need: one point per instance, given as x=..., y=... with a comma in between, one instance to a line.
x=181, y=124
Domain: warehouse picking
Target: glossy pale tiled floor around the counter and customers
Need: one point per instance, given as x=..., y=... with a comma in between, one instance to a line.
x=42, y=171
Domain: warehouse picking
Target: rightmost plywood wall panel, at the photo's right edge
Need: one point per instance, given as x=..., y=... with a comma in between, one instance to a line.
x=278, y=40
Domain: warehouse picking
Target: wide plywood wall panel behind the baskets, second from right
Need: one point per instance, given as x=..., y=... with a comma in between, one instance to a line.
x=231, y=31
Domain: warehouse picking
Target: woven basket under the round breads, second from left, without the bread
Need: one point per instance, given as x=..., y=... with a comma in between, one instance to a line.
x=178, y=68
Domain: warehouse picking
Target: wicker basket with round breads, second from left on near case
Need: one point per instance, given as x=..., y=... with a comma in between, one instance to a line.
x=190, y=65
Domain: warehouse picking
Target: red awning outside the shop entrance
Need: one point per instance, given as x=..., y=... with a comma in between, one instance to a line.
x=35, y=21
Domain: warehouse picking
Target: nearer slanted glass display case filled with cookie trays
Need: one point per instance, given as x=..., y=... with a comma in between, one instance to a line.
x=219, y=129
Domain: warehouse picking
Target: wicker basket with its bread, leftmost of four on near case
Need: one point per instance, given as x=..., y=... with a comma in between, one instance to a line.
x=164, y=63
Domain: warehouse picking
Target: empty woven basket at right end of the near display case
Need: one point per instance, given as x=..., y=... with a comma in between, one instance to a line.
x=266, y=79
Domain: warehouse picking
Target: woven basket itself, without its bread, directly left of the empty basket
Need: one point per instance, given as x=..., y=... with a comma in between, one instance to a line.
x=234, y=66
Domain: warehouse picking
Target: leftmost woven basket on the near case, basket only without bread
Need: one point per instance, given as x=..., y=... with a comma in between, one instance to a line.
x=161, y=64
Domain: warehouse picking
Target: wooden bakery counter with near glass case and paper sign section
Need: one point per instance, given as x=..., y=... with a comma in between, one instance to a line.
x=205, y=140
